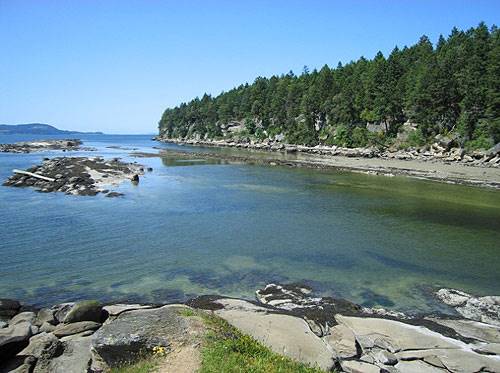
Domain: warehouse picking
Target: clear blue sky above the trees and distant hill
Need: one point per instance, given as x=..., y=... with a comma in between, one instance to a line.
x=114, y=66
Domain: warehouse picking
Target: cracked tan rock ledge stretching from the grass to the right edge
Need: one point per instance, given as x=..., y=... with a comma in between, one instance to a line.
x=367, y=340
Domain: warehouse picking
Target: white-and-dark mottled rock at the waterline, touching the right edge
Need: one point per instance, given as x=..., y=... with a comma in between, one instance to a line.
x=485, y=309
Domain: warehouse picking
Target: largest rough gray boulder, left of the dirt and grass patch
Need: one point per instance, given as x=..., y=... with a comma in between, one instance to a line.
x=132, y=333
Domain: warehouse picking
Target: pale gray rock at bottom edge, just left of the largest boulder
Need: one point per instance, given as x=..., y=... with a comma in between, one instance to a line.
x=75, y=358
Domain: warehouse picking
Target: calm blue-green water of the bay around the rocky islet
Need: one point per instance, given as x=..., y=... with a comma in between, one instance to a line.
x=192, y=228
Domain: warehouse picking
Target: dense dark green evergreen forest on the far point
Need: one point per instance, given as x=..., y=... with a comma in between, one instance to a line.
x=450, y=88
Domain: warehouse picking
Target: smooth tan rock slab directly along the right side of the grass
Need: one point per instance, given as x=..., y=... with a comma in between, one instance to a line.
x=284, y=334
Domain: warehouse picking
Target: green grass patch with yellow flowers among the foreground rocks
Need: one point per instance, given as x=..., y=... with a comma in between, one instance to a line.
x=226, y=350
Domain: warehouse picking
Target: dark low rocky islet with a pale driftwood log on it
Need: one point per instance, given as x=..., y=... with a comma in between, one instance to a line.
x=78, y=176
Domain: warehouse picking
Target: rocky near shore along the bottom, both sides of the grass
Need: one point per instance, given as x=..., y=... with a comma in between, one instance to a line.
x=332, y=334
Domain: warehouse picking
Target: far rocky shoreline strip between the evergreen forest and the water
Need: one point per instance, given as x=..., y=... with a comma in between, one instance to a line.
x=449, y=166
